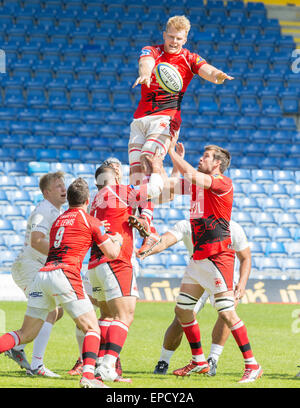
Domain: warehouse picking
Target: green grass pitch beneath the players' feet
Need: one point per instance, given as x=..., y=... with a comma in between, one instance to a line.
x=273, y=331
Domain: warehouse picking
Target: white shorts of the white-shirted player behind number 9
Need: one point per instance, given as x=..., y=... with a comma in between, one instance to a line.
x=23, y=273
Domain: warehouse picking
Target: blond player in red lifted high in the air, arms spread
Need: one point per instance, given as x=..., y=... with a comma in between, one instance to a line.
x=157, y=118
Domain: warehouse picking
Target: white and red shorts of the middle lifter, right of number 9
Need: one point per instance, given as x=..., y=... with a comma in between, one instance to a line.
x=113, y=280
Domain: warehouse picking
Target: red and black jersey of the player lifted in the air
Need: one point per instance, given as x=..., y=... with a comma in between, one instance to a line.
x=155, y=100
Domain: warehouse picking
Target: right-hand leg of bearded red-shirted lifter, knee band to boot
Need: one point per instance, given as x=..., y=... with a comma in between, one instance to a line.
x=224, y=303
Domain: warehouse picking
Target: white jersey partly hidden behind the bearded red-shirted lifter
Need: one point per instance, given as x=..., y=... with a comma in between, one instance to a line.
x=182, y=231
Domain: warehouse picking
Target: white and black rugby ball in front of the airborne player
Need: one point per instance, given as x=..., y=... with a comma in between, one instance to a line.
x=168, y=77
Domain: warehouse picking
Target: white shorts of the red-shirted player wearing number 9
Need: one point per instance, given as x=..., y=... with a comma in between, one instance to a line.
x=53, y=288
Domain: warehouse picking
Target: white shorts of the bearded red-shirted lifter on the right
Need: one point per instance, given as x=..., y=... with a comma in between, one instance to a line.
x=205, y=273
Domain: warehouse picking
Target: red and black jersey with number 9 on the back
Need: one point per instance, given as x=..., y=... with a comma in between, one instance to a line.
x=71, y=236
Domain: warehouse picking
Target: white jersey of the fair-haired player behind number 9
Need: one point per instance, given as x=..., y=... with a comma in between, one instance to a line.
x=41, y=219
